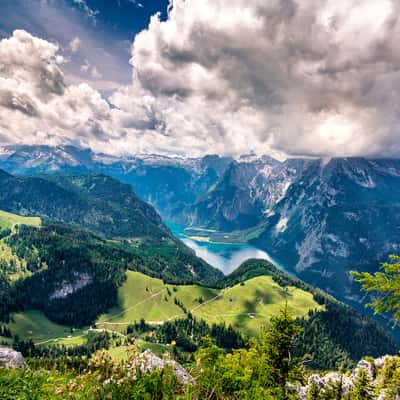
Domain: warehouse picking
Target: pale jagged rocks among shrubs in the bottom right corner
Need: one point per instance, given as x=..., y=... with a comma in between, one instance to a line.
x=324, y=382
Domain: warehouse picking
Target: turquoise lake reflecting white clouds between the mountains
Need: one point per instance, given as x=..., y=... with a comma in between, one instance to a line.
x=224, y=256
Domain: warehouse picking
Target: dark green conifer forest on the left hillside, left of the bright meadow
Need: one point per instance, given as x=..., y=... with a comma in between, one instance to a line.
x=59, y=257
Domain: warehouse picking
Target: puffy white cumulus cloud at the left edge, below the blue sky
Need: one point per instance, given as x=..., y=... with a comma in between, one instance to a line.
x=36, y=105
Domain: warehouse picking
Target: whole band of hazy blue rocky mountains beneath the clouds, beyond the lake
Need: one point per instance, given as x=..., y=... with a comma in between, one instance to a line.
x=320, y=218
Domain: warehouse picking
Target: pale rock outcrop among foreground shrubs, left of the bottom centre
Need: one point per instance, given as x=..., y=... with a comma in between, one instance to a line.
x=148, y=361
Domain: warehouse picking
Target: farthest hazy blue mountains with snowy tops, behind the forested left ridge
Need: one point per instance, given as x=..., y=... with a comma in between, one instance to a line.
x=169, y=183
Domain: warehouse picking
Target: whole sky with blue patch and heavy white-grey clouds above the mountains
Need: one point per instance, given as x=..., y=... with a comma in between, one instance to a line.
x=192, y=77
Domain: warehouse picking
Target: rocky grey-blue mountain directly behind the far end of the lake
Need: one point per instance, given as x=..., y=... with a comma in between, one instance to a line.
x=243, y=194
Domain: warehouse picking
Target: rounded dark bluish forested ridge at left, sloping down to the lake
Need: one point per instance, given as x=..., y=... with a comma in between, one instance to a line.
x=97, y=202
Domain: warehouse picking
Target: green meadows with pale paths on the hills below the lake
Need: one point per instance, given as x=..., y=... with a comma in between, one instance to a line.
x=247, y=307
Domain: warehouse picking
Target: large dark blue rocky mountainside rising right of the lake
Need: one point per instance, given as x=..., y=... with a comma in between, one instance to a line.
x=336, y=217
